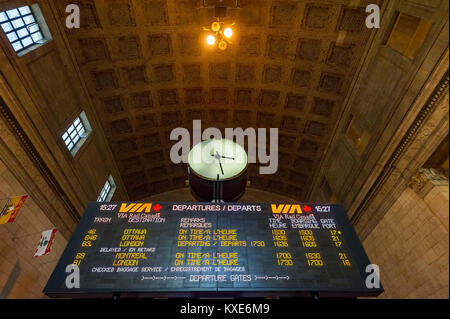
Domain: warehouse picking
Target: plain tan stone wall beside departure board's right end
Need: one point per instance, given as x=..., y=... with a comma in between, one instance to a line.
x=411, y=244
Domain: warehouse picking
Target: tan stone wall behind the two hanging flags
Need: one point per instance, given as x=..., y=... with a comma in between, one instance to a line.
x=21, y=274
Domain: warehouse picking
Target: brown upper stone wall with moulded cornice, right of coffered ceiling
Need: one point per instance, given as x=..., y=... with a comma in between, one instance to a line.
x=399, y=108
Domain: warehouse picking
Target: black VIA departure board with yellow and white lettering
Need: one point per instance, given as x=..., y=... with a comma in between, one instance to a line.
x=208, y=249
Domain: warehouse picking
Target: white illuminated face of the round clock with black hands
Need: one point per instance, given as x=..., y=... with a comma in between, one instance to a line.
x=218, y=159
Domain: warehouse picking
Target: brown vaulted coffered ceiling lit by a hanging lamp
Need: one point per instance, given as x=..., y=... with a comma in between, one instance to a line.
x=149, y=70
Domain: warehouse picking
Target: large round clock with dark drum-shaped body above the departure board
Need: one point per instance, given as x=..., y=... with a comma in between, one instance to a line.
x=218, y=170
